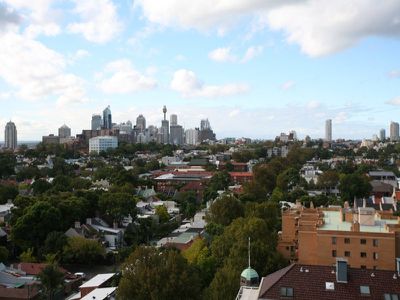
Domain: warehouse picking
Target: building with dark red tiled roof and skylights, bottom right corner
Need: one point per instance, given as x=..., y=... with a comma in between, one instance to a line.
x=337, y=281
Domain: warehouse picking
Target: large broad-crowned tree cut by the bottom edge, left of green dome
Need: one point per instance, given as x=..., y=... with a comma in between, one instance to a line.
x=151, y=273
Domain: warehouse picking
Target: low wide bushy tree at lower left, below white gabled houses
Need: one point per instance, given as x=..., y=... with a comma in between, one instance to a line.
x=83, y=251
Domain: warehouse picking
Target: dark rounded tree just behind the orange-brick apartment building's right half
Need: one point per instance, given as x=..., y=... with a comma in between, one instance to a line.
x=354, y=185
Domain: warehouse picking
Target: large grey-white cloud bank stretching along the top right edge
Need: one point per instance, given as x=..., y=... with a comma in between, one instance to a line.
x=318, y=27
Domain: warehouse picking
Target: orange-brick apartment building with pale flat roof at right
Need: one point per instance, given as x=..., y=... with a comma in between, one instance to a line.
x=366, y=238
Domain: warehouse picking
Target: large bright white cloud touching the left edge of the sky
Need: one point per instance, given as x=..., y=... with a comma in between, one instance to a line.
x=37, y=71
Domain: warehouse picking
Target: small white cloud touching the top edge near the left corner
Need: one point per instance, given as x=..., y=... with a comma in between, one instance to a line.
x=41, y=17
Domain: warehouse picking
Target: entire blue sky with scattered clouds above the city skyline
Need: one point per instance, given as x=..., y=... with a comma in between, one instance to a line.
x=254, y=68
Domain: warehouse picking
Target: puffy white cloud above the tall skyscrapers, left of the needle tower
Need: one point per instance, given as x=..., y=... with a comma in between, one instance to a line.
x=124, y=79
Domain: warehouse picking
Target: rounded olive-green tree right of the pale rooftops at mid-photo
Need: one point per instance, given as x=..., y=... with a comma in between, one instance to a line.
x=225, y=209
